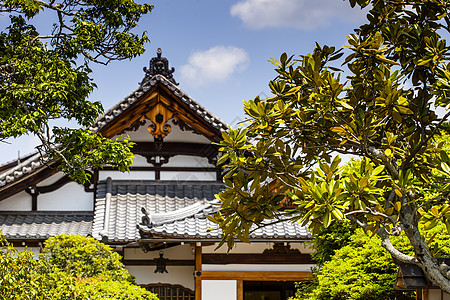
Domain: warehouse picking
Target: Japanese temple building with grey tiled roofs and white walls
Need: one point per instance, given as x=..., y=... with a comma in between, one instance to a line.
x=155, y=216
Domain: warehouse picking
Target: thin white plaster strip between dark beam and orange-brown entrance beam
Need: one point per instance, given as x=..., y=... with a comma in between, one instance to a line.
x=259, y=267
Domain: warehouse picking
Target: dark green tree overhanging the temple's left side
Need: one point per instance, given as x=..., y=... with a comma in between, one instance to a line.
x=45, y=76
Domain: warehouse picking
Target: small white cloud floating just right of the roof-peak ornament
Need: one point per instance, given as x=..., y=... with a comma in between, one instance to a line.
x=216, y=64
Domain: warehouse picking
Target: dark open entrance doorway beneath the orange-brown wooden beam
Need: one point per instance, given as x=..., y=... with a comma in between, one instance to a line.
x=268, y=290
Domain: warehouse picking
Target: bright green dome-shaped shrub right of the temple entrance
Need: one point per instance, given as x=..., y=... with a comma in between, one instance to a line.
x=360, y=270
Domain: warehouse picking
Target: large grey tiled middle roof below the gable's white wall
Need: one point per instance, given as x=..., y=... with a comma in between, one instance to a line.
x=128, y=197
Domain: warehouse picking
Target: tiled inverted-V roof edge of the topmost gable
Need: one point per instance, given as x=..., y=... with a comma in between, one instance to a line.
x=123, y=105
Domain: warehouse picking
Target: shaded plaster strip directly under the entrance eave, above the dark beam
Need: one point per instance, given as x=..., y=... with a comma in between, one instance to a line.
x=256, y=247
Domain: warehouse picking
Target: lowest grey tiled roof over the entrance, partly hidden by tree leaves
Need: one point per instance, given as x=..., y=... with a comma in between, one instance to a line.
x=196, y=226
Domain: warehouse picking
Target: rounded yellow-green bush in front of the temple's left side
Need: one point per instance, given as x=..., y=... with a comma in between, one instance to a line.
x=24, y=276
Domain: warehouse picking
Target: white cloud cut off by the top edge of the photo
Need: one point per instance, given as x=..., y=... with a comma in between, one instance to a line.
x=301, y=14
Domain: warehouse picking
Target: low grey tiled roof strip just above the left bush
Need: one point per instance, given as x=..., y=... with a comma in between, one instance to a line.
x=44, y=224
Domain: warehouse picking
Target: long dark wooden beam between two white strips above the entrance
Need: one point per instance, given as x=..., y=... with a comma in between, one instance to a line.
x=223, y=259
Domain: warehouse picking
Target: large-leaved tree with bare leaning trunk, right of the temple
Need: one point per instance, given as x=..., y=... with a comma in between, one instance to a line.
x=385, y=113
